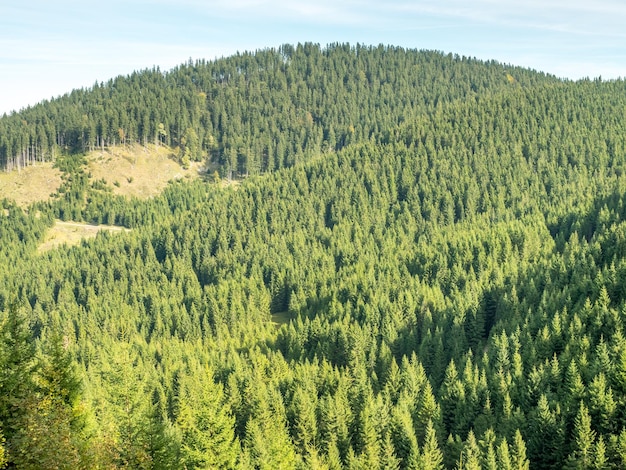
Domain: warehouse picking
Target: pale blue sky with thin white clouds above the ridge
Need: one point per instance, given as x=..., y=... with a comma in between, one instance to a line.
x=50, y=47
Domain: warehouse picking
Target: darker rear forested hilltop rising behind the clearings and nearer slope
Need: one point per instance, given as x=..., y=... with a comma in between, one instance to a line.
x=256, y=112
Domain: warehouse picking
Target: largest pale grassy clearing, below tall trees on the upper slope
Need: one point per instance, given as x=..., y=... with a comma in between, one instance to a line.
x=139, y=171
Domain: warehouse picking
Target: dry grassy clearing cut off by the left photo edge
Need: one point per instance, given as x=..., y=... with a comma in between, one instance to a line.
x=31, y=184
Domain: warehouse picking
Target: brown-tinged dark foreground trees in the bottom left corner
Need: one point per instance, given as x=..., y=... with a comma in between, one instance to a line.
x=41, y=398
